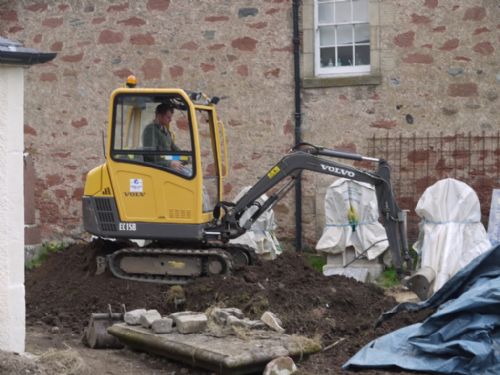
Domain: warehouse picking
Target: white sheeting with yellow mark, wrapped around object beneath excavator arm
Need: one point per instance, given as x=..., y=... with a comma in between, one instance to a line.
x=351, y=219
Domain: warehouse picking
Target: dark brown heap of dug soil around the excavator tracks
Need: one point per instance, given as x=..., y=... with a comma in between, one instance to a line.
x=338, y=311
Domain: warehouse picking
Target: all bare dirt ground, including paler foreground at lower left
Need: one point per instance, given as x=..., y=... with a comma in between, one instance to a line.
x=64, y=291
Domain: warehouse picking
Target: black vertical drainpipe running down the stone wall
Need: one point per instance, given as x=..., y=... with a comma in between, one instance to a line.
x=298, y=117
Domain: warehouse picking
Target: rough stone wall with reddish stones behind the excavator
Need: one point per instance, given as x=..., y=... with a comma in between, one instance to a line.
x=439, y=69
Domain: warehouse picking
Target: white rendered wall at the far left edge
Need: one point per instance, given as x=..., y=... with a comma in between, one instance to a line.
x=12, y=303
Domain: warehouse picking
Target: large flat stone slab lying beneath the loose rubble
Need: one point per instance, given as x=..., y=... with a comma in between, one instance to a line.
x=229, y=355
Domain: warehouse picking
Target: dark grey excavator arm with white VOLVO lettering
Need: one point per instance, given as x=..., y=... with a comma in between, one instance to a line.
x=305, y=156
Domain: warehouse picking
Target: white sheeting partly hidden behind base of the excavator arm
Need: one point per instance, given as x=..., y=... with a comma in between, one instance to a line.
x=260, y=236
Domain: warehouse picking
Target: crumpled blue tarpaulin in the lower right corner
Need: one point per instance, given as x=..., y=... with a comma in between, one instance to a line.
x=461, y=337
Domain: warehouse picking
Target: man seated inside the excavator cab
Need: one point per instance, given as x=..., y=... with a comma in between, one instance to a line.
x=157, y=136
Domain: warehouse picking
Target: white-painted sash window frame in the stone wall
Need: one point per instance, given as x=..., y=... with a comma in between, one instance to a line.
x=338, y=70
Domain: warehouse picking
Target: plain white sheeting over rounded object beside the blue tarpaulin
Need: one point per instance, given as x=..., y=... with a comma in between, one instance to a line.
x=451, y=233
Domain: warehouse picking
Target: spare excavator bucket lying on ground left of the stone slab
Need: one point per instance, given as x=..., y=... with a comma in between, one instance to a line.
x=96, y=335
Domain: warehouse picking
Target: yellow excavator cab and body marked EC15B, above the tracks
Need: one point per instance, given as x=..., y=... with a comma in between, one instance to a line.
x=136, y=193
